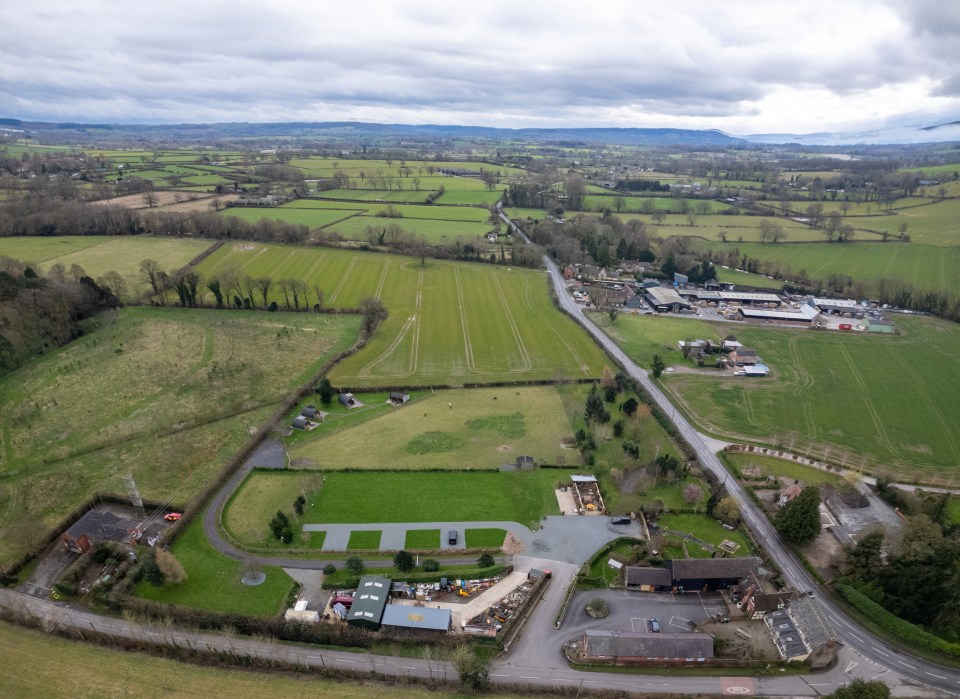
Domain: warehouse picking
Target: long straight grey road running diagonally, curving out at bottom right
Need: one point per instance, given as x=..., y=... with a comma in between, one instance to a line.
x=871, y=648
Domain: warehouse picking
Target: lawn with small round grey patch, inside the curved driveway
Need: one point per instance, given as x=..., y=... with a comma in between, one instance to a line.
x=213, y=580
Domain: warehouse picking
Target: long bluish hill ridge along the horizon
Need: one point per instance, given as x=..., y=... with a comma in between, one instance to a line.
x=157, y=133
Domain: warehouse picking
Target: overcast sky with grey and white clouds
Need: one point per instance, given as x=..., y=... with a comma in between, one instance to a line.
x=743, y=66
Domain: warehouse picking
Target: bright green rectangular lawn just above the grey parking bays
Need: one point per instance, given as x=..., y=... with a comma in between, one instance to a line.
x=430, y=496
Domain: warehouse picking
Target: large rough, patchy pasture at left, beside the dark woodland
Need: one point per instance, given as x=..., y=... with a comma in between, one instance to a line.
x=167, y=395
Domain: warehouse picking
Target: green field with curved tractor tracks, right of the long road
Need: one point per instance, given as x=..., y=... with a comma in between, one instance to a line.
x=864, y=401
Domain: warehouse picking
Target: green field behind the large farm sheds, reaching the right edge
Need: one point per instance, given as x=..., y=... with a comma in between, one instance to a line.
x=926, y=267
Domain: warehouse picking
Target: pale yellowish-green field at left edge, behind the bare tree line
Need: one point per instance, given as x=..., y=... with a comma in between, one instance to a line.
x=100, y=254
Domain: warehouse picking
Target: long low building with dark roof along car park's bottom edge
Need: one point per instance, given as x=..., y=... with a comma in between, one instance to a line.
x=627, y=647
